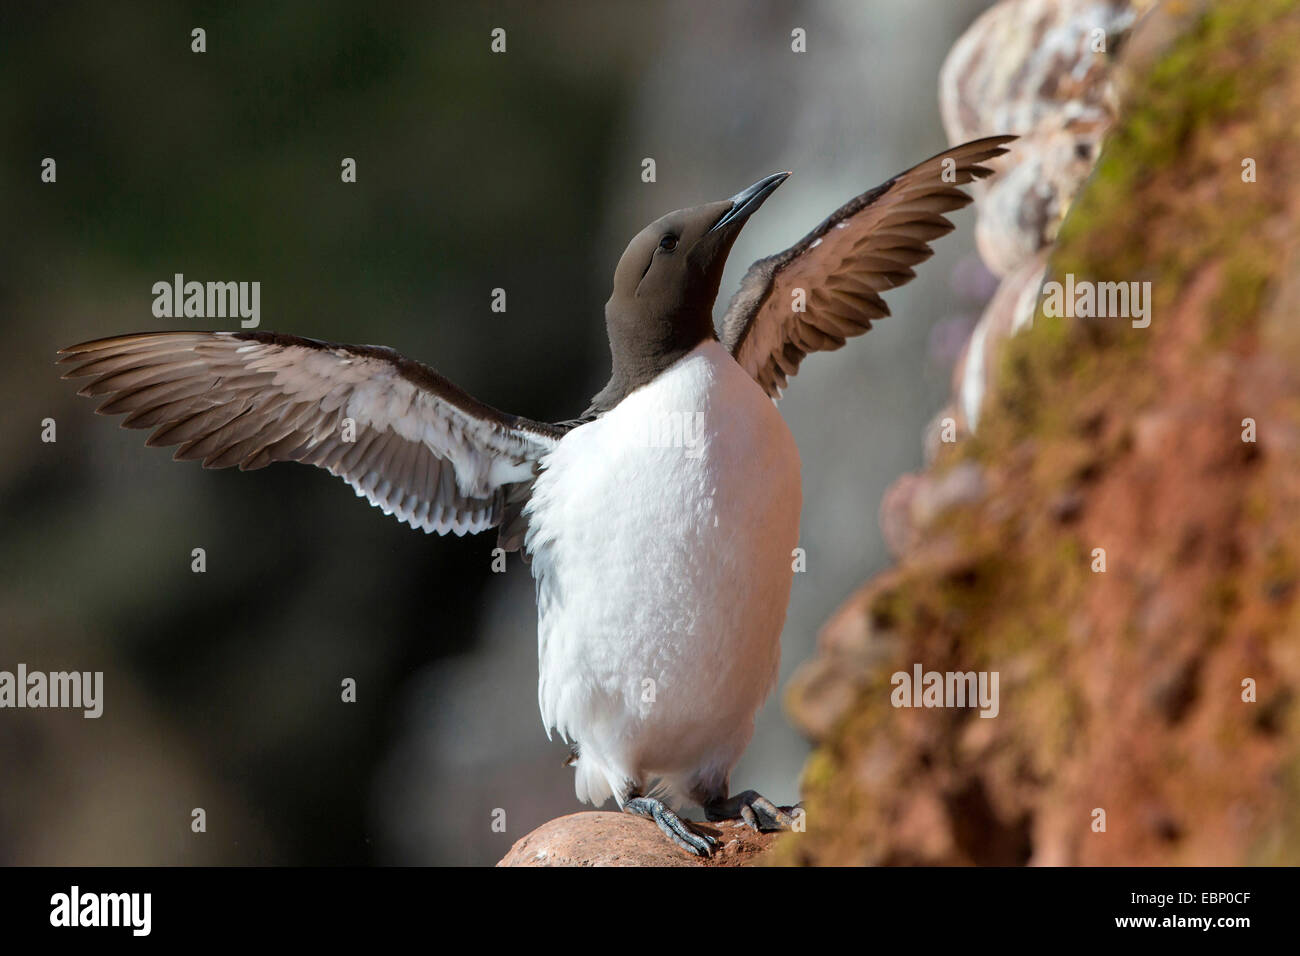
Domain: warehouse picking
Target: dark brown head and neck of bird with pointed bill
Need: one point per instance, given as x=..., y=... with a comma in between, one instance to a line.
x=665, y=288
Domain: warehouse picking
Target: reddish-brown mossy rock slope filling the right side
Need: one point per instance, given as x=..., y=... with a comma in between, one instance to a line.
x=1120, y=540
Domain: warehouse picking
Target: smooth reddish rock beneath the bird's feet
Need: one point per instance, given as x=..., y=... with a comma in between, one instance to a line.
x=619, y=840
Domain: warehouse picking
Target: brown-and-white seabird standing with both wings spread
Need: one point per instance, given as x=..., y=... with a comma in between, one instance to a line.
x=660, y=526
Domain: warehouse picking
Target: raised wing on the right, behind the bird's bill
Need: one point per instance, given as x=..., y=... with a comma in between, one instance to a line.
x=865, y=248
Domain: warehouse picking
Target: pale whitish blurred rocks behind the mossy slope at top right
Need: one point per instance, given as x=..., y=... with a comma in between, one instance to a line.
x=1045, y=71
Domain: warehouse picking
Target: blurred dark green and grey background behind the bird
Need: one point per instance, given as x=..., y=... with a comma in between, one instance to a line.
x=475, y=171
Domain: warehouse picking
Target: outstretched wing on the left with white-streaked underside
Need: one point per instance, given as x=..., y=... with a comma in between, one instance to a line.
x=398, y=432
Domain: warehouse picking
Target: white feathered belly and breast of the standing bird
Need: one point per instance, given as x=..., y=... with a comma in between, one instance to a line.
x=661, y=538
